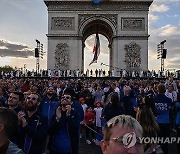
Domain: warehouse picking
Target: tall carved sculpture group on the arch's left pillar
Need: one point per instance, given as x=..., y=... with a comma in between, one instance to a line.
x=62, y=56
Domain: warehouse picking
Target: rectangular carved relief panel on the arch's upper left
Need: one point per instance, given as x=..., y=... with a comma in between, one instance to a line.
x=63, y=23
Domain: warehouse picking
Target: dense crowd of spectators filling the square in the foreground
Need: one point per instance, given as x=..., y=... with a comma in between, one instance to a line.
x=51, y=115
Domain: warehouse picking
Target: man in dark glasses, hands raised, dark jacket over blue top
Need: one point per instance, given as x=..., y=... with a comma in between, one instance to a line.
x=64, y=127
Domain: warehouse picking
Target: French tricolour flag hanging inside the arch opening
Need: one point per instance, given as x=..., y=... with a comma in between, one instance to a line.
x=96, y=49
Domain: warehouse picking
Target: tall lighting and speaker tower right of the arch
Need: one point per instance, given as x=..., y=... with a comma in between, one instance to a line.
x=161, y=54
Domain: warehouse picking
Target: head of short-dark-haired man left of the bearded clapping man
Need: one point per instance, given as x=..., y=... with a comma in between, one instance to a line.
x=14, y=101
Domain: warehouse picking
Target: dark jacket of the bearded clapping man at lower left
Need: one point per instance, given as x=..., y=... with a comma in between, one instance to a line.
x=35, y=132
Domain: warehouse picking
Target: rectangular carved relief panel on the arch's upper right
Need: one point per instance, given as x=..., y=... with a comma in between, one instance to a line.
x=133, y=24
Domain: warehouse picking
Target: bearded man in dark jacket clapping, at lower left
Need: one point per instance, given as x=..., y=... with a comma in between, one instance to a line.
x=33, y=127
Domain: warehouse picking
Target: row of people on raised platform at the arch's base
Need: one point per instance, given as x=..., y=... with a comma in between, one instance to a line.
x=89, y=73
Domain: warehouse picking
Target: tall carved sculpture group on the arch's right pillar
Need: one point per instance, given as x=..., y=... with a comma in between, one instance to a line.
x=132, y=55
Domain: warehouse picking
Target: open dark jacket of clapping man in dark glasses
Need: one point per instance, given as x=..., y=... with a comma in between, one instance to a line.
x=71, y=123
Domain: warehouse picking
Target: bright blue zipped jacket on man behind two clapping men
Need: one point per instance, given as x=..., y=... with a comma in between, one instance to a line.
x=48, y=106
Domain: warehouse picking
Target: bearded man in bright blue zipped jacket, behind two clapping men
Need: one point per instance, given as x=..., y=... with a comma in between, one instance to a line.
x=49, y=103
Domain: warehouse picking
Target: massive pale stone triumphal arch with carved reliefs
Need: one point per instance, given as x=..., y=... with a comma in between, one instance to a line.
x=123, y=22
